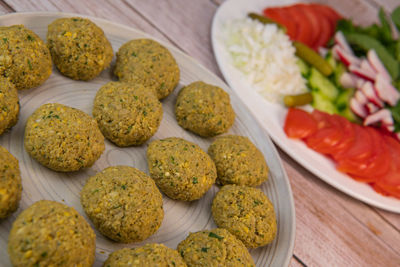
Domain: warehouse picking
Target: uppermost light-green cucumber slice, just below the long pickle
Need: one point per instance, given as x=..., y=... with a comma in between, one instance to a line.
x=323, y=85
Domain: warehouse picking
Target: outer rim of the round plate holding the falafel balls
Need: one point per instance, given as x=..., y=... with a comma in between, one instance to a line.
x=266, y=137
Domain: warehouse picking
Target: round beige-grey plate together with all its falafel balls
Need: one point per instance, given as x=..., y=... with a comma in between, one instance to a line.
x=119, y=150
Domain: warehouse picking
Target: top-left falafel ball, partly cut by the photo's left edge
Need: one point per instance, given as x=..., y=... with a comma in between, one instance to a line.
x=24, y=58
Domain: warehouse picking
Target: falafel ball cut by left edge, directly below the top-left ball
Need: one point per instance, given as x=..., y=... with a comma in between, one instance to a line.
x=9, y=104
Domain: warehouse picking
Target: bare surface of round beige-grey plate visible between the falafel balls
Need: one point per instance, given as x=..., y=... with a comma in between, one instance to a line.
x=180, y=217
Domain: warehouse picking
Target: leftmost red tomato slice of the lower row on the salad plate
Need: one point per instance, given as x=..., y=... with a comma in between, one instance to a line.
x=299, y=124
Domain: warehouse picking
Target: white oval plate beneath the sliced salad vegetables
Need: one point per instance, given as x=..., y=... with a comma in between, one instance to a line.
x=271, y=116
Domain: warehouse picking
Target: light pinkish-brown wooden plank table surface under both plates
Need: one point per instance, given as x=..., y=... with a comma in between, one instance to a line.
x=332, y=228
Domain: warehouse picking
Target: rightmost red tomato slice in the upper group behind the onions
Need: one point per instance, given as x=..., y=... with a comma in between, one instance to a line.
x=326, y=25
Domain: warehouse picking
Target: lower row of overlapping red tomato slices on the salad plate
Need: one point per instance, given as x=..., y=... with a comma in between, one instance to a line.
x=364, y=153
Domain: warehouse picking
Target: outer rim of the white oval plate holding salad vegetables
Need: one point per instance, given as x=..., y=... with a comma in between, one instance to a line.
x=281, y=143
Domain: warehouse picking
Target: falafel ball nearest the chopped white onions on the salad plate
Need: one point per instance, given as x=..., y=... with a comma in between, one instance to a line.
x=204, y=109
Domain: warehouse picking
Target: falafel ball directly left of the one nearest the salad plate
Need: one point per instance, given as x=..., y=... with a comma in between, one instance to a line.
x=127, y=113
